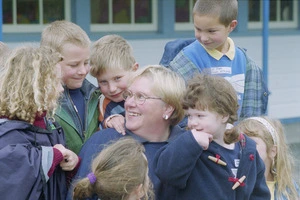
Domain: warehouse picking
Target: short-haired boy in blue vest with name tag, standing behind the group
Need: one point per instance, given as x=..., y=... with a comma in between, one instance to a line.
x=213, y=52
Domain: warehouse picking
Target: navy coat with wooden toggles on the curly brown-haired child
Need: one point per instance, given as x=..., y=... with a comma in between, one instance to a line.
x=184, y=165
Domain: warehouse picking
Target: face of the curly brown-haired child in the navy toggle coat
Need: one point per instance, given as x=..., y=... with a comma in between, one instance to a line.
x=206, y=121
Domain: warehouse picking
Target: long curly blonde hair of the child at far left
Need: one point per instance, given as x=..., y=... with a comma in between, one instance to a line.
x=29, y=83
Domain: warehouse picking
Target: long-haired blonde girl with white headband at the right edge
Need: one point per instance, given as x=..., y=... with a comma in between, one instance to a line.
x=273, y=149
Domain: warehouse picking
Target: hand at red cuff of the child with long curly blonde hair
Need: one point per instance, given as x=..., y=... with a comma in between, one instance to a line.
x=70, y=158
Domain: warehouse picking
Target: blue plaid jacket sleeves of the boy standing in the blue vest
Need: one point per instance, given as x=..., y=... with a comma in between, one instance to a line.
x=255, y=100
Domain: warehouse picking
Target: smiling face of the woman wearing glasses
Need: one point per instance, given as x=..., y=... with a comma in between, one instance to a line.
x=144, y=118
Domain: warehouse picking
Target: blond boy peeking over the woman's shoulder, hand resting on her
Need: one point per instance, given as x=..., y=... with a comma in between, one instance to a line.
x=112, y=62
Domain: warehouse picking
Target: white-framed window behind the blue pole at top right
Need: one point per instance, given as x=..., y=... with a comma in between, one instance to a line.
x=283, y=14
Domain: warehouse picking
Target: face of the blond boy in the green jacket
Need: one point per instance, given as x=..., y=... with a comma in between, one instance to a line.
x=75, y=65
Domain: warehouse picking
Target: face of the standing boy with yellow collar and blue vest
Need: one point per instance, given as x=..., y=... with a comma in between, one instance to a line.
x=210, y=33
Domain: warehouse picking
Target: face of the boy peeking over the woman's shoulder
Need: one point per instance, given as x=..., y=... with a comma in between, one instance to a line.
x=112, y=83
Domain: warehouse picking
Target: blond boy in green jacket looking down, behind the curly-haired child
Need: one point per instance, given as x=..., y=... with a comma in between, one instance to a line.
x=77, y=113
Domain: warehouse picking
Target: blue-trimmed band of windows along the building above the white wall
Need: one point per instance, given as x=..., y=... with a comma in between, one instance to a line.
x=23, y=20
